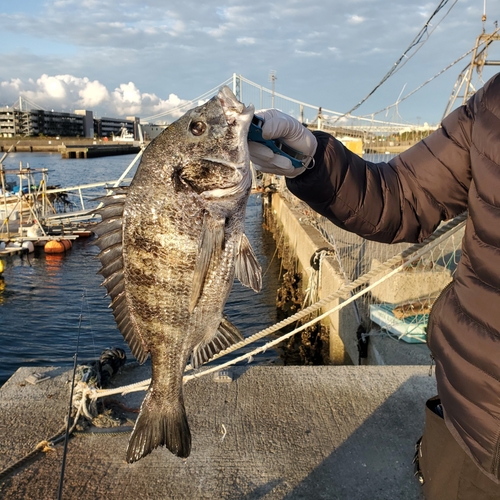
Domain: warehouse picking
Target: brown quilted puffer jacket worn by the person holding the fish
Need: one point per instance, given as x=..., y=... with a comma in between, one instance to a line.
x=456, y=168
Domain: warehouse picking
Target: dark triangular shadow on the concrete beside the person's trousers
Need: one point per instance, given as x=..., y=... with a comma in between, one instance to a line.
x=375, y=462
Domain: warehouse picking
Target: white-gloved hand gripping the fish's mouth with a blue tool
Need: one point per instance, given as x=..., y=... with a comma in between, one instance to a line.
x=278, y=125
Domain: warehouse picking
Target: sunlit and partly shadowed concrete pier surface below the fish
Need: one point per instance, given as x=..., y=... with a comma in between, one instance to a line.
x=274, y=432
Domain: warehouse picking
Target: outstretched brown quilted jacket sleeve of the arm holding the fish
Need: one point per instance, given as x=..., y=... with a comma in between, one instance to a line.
x=402, y=200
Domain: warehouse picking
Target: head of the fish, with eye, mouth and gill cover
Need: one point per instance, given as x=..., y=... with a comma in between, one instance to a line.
x=211, y=148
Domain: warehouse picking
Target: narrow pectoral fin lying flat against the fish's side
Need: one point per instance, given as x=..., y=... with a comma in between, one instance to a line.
x=210, y=249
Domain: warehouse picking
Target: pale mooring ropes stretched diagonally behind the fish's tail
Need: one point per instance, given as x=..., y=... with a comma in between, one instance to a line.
x=387, y=269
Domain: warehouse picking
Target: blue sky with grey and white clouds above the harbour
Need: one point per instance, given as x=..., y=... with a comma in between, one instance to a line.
x=143, y=57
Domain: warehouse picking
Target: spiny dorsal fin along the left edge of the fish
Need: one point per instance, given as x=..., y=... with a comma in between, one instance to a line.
x=110, y=241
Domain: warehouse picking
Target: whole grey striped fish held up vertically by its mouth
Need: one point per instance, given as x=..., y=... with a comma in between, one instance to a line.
x=171, y=244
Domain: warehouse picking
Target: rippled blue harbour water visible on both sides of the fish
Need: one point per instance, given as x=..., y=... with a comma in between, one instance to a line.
x=47, y=301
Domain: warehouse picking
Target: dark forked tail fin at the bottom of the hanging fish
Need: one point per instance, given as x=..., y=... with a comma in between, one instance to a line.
x=159, y=425
